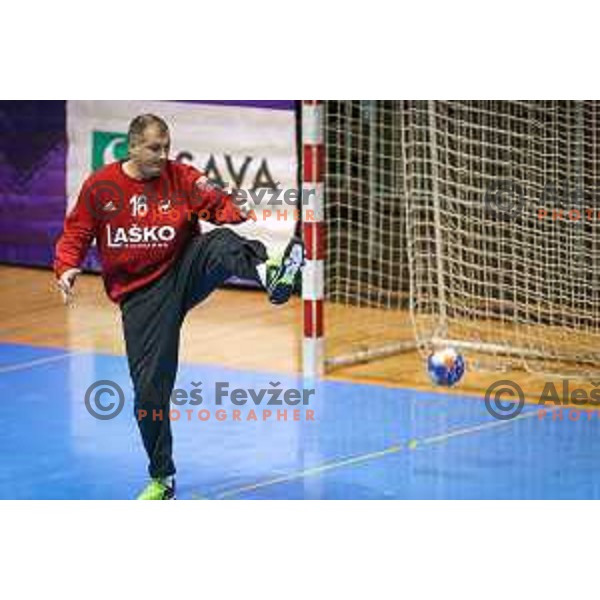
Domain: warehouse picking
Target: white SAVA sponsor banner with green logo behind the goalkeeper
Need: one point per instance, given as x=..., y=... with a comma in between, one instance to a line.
x=248, y=147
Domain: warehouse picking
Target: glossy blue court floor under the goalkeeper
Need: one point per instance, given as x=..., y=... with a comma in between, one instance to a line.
x=364, y=442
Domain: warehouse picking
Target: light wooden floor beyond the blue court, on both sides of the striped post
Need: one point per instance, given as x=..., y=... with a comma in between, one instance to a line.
x=234, y=328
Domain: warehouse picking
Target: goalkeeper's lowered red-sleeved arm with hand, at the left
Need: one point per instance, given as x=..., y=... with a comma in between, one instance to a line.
x=71, y=248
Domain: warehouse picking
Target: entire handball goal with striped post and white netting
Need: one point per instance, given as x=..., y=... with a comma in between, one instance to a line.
x=470, y=223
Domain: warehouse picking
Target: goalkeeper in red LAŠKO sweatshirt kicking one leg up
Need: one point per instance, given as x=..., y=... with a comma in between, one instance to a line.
x=144, y=214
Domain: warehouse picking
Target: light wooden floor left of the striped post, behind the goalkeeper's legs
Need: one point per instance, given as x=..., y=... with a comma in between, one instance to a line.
x=236, y=328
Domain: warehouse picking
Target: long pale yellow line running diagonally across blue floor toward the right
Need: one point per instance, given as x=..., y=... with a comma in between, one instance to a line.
x=361, y=458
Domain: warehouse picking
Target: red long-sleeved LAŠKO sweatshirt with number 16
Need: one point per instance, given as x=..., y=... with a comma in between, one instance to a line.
x=141, y=227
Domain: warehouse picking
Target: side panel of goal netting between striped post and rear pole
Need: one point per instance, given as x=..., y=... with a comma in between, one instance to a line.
x=366, y=271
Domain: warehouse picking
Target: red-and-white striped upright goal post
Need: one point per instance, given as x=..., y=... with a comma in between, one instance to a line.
x=314, y=236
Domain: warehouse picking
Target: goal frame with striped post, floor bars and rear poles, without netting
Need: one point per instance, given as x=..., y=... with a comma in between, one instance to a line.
x=313, y=156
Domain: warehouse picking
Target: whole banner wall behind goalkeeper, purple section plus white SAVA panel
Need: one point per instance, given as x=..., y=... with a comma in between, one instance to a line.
x=47, y=149
